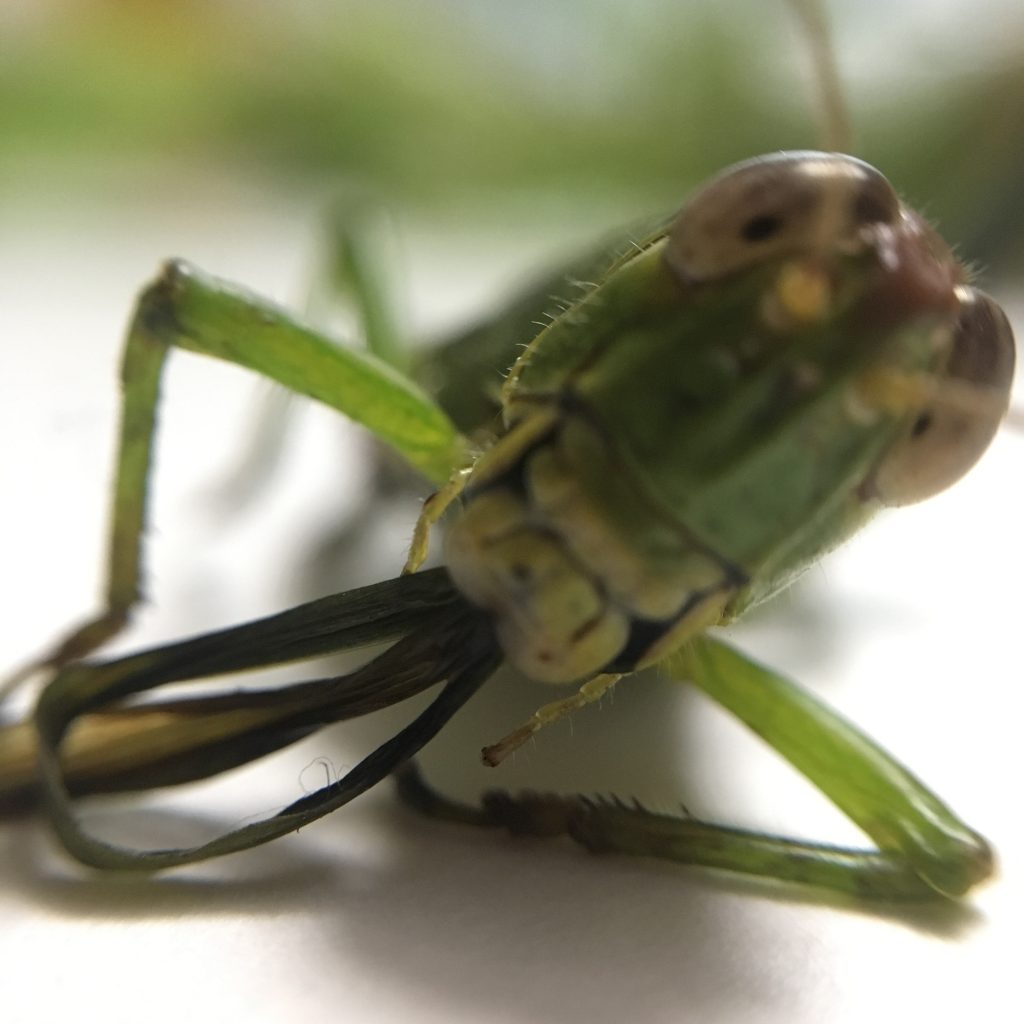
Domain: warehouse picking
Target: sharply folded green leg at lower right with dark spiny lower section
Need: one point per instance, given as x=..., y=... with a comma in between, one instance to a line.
x=923, y=849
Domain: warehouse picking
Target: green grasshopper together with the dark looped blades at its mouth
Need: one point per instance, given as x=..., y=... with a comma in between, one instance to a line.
x=735, y=395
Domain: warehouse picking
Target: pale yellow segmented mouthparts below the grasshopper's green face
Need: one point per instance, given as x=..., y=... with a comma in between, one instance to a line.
x=572, y=590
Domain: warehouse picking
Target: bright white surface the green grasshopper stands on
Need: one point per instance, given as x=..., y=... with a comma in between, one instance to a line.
x=374, y=915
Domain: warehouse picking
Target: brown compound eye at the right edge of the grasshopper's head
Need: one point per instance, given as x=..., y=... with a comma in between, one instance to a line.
x=972, y=396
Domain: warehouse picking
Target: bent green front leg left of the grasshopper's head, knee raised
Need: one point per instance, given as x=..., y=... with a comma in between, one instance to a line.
x=187, y=310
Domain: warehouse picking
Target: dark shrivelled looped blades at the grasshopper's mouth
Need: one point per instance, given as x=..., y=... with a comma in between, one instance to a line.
x=440, y=638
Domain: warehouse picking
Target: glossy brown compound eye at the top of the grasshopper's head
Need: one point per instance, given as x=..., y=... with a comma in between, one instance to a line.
x=781, y=205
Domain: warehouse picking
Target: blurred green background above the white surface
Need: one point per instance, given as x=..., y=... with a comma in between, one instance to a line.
x=474, y=108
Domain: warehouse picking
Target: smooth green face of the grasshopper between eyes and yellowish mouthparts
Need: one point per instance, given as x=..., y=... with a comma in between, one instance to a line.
x=749, y=439
